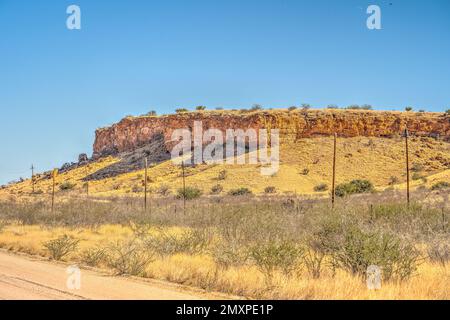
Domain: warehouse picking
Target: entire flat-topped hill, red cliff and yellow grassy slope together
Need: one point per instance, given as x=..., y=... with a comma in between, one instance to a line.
x=370, y=147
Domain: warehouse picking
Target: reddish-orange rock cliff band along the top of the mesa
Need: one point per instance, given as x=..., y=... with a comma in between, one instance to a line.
x=134, y=132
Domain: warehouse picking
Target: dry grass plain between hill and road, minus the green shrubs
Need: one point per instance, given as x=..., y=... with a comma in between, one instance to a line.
x=184, y=246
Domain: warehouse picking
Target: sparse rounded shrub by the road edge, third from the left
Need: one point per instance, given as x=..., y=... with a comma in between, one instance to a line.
x=128, y=257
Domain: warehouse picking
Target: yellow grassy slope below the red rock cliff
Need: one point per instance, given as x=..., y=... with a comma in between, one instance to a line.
x=303, y=165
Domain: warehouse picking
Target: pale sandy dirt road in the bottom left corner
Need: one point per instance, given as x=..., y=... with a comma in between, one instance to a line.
x=23, y=277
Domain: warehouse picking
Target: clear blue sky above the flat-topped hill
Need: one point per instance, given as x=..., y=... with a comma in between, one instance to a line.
x=58, y=85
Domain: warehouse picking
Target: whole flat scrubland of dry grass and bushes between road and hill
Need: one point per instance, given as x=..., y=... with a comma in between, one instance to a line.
x=277, y=247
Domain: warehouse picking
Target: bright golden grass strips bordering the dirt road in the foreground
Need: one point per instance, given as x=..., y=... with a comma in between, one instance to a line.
x=431, y=282
